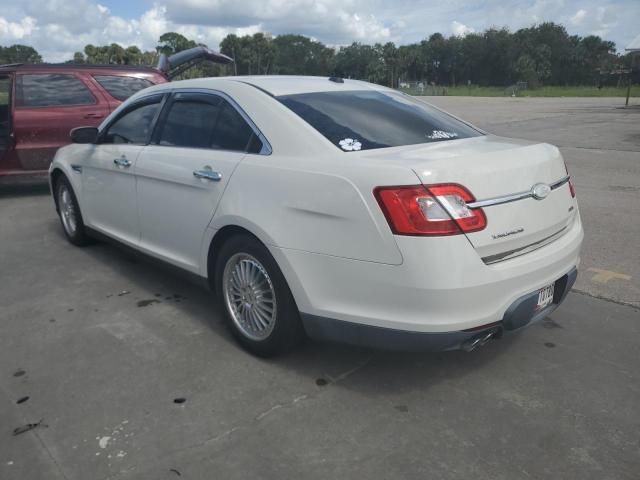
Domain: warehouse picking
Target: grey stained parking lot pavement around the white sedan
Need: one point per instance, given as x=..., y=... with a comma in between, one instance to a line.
x=131, y=374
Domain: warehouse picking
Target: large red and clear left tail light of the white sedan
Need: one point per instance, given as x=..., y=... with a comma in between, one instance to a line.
x=431, y=210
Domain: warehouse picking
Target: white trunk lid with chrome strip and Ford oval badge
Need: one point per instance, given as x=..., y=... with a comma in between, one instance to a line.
x=491, y=168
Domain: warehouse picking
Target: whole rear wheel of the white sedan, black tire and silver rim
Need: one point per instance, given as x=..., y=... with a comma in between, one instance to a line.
x=256, y=302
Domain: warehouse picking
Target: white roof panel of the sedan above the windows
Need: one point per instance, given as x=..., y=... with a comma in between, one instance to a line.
x=281, y=84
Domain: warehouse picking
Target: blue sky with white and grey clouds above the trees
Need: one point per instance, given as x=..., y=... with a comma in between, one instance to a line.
x=57, y=28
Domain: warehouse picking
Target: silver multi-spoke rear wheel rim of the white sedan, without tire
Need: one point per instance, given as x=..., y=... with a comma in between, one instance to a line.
x=249, y=295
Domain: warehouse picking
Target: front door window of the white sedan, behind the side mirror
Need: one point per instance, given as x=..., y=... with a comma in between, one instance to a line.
x=135, y=125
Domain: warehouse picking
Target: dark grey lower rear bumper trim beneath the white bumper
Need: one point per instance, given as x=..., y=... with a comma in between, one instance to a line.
x=521, y=313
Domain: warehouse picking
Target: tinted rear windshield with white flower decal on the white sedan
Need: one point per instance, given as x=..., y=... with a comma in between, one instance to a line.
x=364, y=120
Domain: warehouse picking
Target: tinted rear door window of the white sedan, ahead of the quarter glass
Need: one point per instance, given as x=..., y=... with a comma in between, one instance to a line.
x=190, y=121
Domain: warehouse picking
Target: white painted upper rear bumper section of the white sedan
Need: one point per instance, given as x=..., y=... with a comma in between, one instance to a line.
x=442, y=286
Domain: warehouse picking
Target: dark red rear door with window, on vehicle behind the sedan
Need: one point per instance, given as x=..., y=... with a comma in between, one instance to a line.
x=47, y=106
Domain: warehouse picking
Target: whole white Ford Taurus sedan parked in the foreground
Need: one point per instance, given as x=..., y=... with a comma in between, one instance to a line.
x=333, y=208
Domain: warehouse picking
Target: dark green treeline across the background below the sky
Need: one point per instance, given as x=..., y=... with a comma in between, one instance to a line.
x=540, y=54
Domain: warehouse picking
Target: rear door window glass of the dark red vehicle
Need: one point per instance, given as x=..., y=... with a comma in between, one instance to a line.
x=51, y=90
